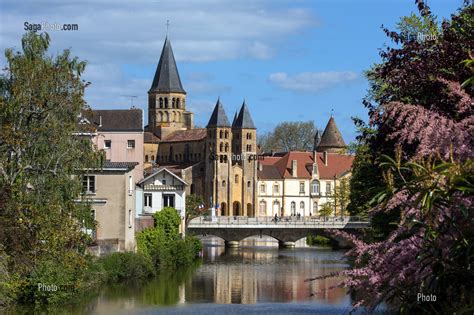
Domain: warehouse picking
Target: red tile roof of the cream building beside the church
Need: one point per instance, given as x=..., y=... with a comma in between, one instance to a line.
x=338, y=164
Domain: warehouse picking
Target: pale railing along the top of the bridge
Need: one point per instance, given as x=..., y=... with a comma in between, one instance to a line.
x=286, y=221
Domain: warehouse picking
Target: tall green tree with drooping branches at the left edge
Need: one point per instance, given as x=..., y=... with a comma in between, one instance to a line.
x=41, y=97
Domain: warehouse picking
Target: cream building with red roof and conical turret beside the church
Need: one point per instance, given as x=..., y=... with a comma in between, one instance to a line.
x=293, y=183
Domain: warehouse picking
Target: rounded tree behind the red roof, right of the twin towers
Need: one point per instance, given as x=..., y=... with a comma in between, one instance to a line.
x=289, y=136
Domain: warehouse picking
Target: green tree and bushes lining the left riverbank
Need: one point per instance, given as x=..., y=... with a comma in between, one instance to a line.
x=42, y=239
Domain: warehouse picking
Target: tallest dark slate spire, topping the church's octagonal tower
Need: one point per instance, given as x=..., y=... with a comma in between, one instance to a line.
x=166, y=78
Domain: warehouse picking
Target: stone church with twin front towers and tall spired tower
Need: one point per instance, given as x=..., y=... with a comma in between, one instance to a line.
x=217, y=161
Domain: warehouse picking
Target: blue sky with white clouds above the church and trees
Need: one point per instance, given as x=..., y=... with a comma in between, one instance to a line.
x=289, y=60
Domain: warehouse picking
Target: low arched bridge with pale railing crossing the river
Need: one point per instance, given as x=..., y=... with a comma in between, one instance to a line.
x=287, y=230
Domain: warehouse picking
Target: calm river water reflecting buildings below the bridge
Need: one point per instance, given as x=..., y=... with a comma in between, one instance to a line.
x=257, y=278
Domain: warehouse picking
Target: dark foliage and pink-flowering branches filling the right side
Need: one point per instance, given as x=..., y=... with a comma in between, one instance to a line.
x=421, y=142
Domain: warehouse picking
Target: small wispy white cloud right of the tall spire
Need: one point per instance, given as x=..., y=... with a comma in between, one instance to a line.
x=312, y=81
